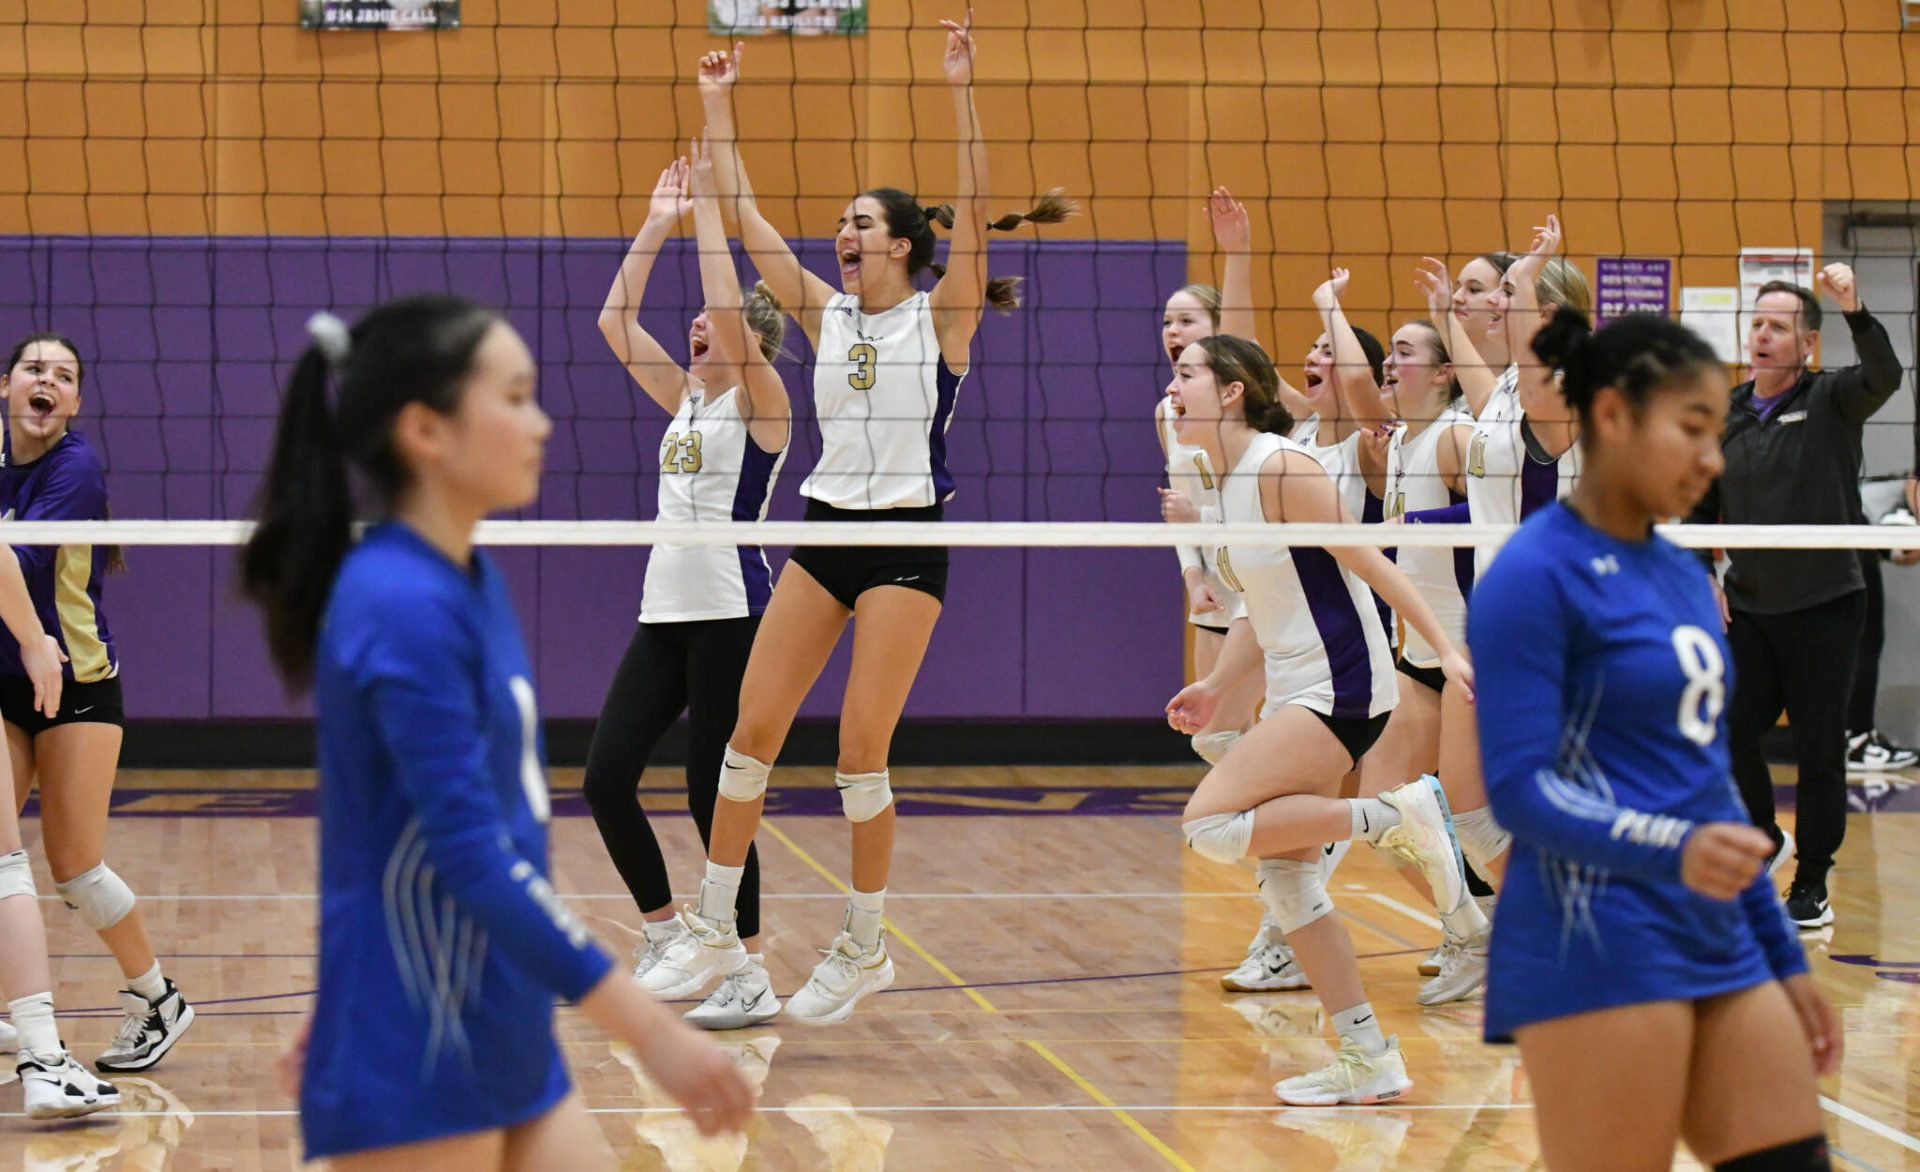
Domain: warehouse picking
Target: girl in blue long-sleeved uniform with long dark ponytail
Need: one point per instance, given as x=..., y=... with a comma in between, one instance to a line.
x=443, y=942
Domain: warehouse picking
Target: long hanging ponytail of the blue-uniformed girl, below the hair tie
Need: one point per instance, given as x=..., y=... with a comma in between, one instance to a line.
x=306, y=524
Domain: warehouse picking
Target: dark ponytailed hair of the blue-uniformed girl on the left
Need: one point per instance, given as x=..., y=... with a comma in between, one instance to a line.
x=412, y=351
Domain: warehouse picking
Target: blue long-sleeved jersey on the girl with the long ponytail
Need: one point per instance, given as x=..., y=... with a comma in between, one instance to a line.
x=443, y=944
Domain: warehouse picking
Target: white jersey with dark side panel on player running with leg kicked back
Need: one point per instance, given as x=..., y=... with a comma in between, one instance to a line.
x=1316, y=623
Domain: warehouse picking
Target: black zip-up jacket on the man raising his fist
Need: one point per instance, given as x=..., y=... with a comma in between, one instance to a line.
x=1802, y=466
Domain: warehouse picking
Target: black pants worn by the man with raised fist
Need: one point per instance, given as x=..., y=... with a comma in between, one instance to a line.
x=1800, y=662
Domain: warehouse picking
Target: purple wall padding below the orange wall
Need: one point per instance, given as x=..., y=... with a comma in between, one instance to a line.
x=185, y=341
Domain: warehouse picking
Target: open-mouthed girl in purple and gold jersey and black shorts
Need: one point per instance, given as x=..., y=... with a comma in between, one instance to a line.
x=51, y=474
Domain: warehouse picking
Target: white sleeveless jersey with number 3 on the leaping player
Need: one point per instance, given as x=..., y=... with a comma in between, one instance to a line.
x=884, y=399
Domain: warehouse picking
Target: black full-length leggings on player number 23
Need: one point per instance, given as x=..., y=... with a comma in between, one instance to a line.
x=667, y=670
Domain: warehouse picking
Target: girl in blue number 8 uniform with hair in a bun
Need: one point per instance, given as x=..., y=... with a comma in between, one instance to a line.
x=1641, y=956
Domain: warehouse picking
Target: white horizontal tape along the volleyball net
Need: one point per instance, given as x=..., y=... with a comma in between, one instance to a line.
x=976, y=533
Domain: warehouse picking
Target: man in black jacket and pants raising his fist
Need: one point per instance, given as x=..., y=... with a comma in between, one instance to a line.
x=1794, y=616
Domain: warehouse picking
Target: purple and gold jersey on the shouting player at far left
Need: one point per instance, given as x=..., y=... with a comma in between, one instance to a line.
x=66, y=483
